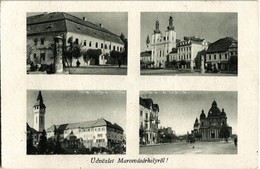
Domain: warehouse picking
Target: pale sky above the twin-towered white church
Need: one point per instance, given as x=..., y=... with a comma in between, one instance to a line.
x=207, y=25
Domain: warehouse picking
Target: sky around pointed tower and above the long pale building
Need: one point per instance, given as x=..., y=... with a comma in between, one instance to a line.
x=77, y=106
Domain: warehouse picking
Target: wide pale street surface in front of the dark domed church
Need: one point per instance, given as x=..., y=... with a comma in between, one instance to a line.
x=187, y=148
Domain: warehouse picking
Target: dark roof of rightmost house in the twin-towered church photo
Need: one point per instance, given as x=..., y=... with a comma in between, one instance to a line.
x=221, y=45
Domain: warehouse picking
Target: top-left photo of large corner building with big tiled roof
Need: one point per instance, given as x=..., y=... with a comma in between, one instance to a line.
x=91, y=43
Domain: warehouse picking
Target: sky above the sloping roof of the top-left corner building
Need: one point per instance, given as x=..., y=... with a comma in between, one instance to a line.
x=116, y=22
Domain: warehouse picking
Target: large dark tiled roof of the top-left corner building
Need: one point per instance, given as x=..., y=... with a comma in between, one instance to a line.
x=64, y=22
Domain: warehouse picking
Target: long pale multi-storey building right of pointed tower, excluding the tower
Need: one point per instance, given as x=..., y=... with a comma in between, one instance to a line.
x=96, y=133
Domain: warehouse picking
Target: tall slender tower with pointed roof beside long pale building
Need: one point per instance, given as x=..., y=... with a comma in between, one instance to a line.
x=39, y=113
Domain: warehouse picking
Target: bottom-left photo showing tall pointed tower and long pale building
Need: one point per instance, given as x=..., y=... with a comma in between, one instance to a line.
x=76, y=122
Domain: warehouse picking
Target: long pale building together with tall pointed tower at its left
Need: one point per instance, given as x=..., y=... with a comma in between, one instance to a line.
x=96, y=133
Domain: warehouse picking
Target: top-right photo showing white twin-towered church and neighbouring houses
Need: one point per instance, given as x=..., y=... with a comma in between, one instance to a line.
x=189, y=44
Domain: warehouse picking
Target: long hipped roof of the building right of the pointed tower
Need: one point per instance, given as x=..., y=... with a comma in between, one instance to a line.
x=84, y=124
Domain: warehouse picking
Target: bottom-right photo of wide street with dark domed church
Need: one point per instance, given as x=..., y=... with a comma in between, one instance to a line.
x=188, y=122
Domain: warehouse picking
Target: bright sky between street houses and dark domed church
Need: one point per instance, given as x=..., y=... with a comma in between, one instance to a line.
x=179, y=109
